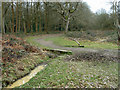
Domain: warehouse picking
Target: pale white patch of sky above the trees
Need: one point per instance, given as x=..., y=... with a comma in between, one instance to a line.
x=96, y=5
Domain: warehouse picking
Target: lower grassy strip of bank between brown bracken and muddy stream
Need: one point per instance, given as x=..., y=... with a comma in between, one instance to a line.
x=21, y=67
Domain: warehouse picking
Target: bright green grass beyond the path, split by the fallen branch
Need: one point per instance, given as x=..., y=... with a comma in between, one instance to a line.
x=64, y=41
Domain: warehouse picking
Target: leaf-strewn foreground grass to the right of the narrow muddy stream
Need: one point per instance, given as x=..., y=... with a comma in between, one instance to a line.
x=69, y=74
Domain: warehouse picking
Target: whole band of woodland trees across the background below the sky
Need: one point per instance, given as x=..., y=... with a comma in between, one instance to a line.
x=31, y=16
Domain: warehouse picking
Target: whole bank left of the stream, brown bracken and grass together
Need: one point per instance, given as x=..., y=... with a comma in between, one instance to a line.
x=19, y=58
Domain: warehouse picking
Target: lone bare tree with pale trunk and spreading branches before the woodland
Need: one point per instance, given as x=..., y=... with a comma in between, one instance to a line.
x=66, y=11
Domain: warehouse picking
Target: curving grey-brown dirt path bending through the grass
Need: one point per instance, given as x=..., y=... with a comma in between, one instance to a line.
x=104, y=52
